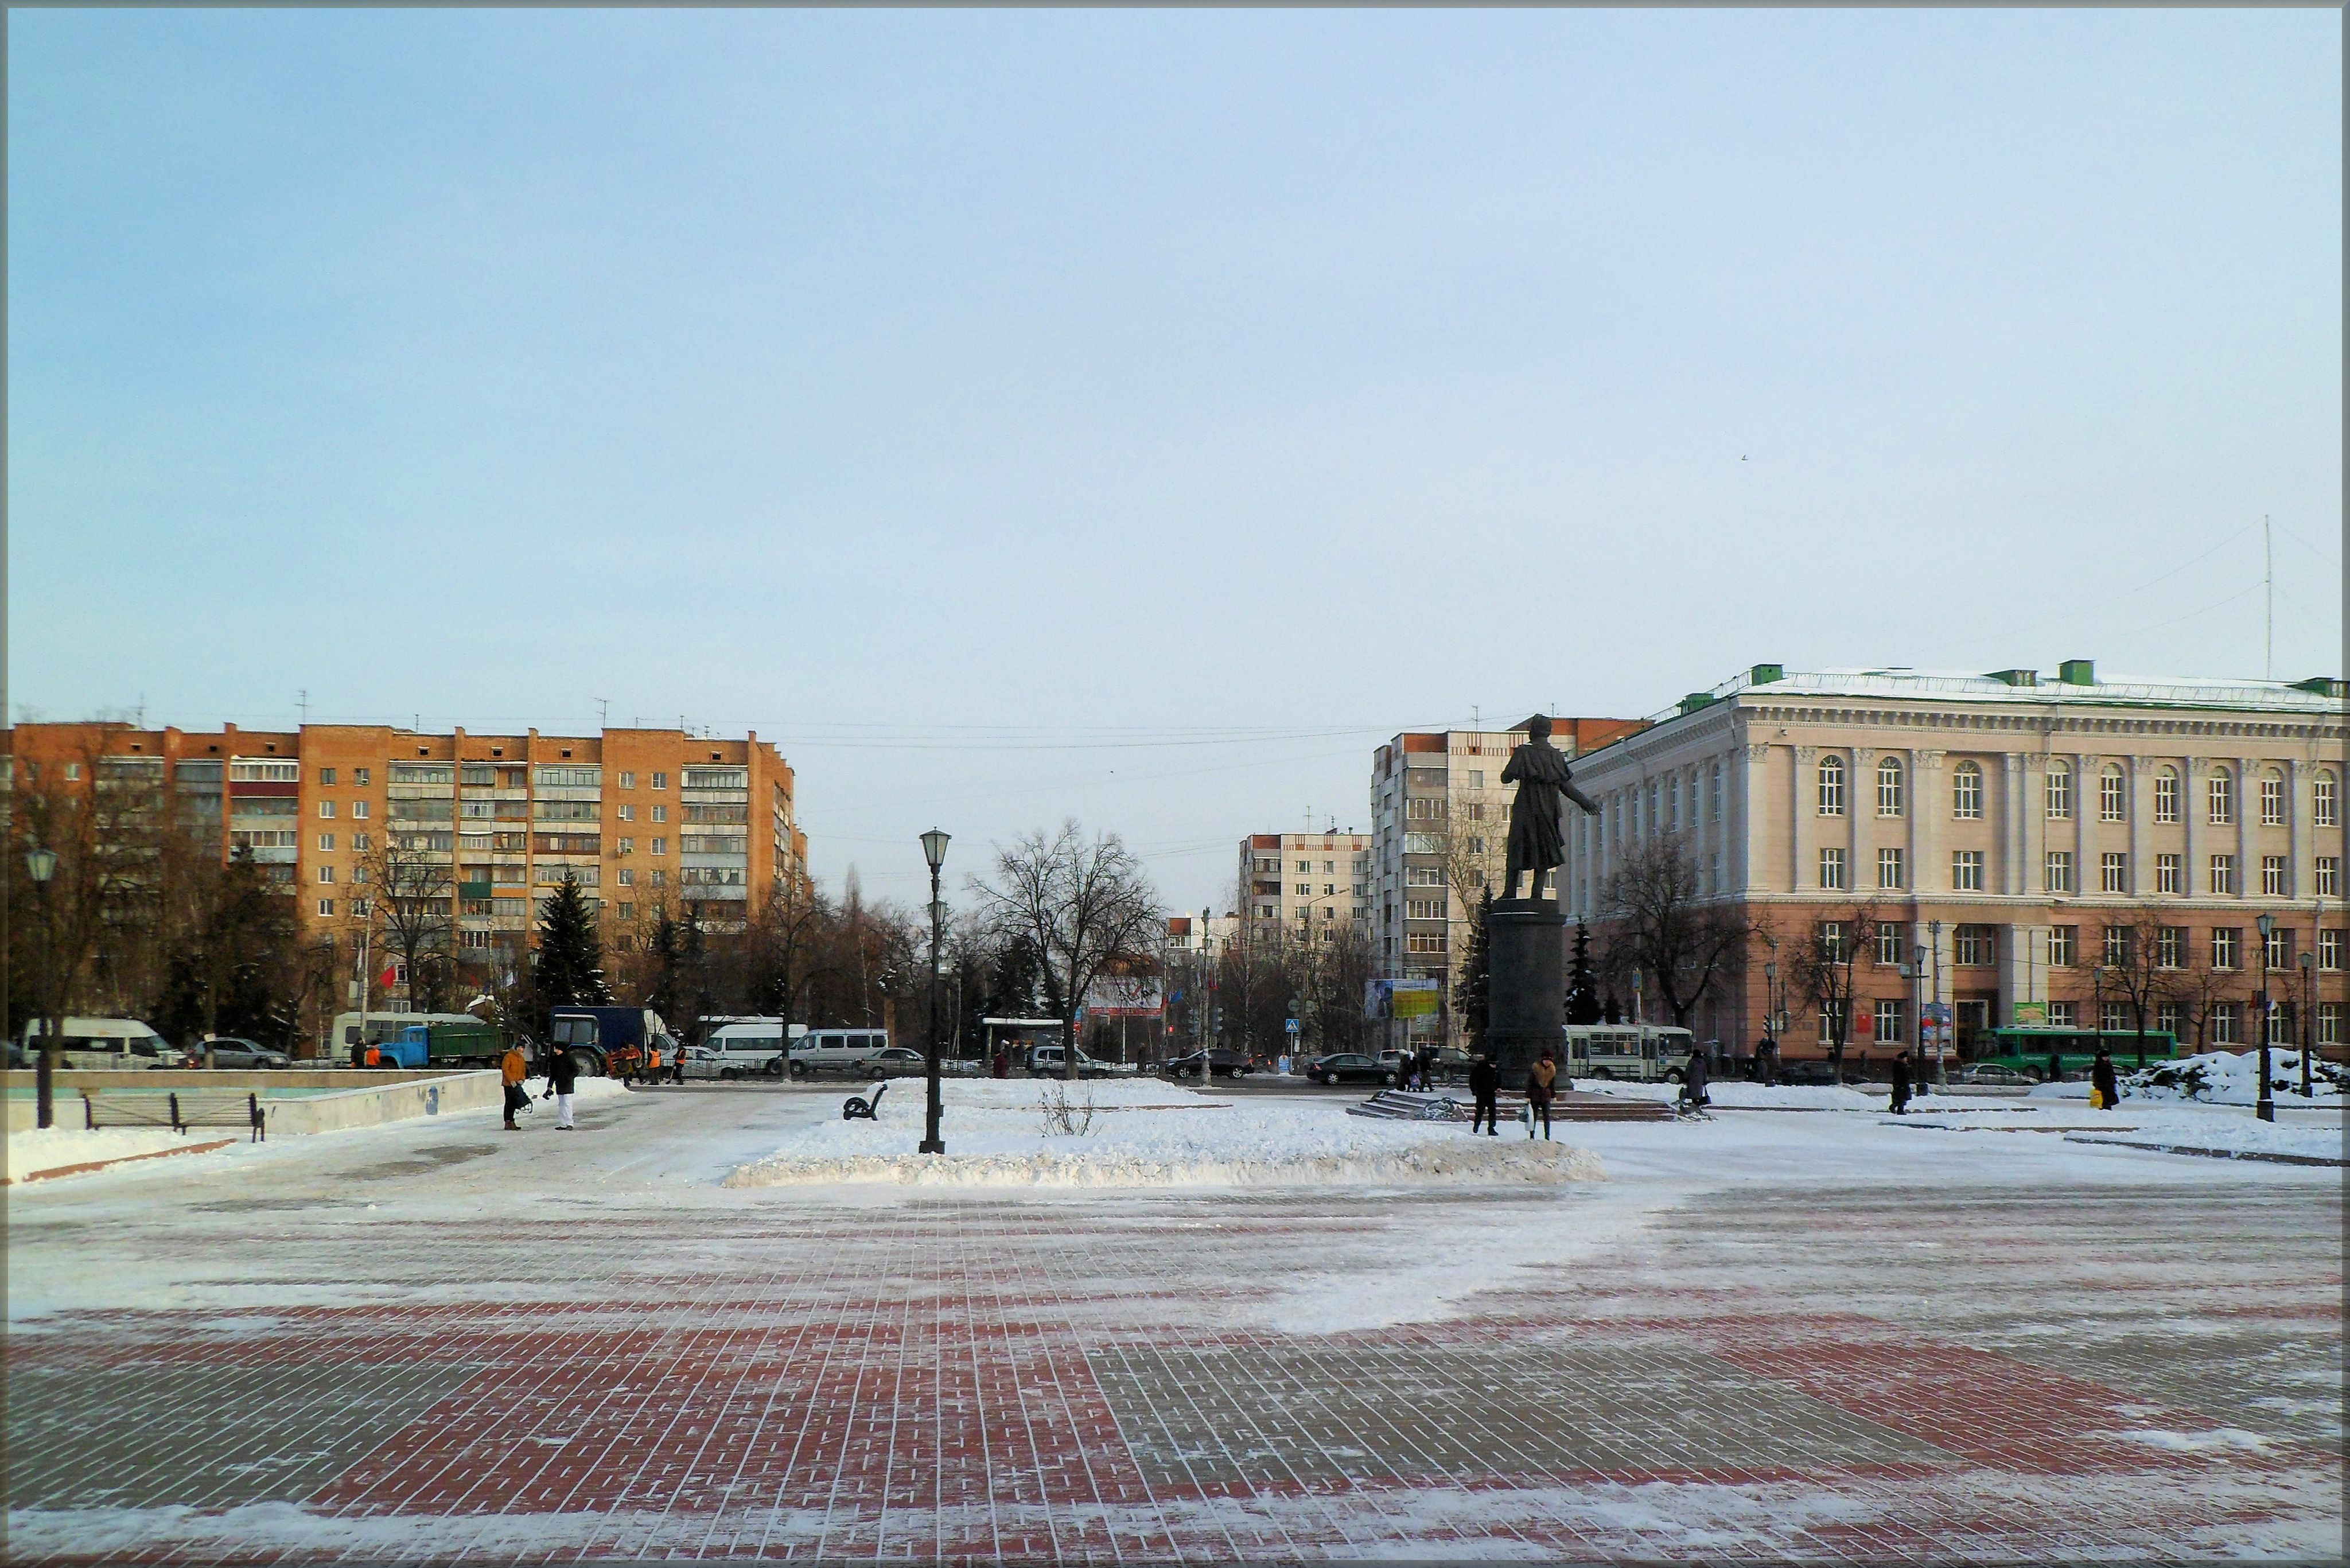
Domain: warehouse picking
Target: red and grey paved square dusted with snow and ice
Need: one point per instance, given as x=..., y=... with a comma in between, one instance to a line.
x=1766, y=1336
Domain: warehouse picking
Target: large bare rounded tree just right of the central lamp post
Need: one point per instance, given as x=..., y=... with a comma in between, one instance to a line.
x=1085, y=904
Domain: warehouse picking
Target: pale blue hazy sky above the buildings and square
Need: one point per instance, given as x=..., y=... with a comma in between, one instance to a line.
x=1143, y=415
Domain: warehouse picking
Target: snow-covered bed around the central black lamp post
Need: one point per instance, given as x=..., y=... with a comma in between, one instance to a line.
x=1148, y=1137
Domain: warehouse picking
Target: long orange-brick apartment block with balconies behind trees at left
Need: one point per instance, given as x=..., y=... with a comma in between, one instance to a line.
x=633, y=815
